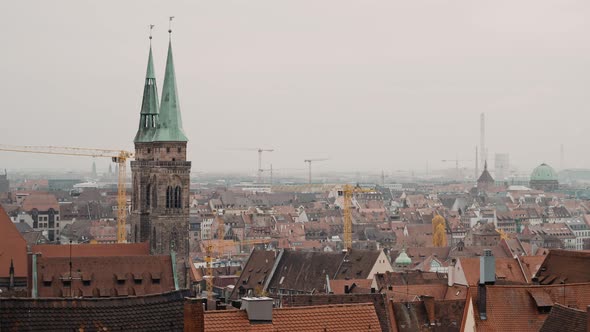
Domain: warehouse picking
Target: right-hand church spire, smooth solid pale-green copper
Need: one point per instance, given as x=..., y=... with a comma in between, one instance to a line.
x=170, y=122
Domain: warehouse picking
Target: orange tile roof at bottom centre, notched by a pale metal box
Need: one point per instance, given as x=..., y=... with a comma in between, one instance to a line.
x=340, y=317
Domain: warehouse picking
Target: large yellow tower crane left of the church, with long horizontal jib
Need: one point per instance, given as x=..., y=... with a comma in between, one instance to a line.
x=118, y=156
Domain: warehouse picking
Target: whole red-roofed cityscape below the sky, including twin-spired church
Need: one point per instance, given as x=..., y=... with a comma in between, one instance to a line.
x=201, y=256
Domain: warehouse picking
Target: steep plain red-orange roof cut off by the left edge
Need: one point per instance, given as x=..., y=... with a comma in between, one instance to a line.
x=13, y=247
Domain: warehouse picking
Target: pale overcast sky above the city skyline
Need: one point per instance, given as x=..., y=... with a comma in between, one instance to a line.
x=369, y=84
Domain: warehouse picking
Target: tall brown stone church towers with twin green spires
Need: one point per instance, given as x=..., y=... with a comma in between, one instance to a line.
x=161, y=173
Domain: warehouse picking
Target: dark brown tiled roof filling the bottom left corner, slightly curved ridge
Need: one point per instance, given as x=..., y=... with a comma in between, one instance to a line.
x=160, y=312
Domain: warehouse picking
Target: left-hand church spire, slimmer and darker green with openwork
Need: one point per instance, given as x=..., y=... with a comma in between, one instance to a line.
x=149, y=105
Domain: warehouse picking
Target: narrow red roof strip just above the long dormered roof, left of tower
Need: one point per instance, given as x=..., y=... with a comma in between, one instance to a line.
x=93, y=250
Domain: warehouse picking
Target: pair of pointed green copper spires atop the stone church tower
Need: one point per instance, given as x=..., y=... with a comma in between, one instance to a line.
x=160, y=122
